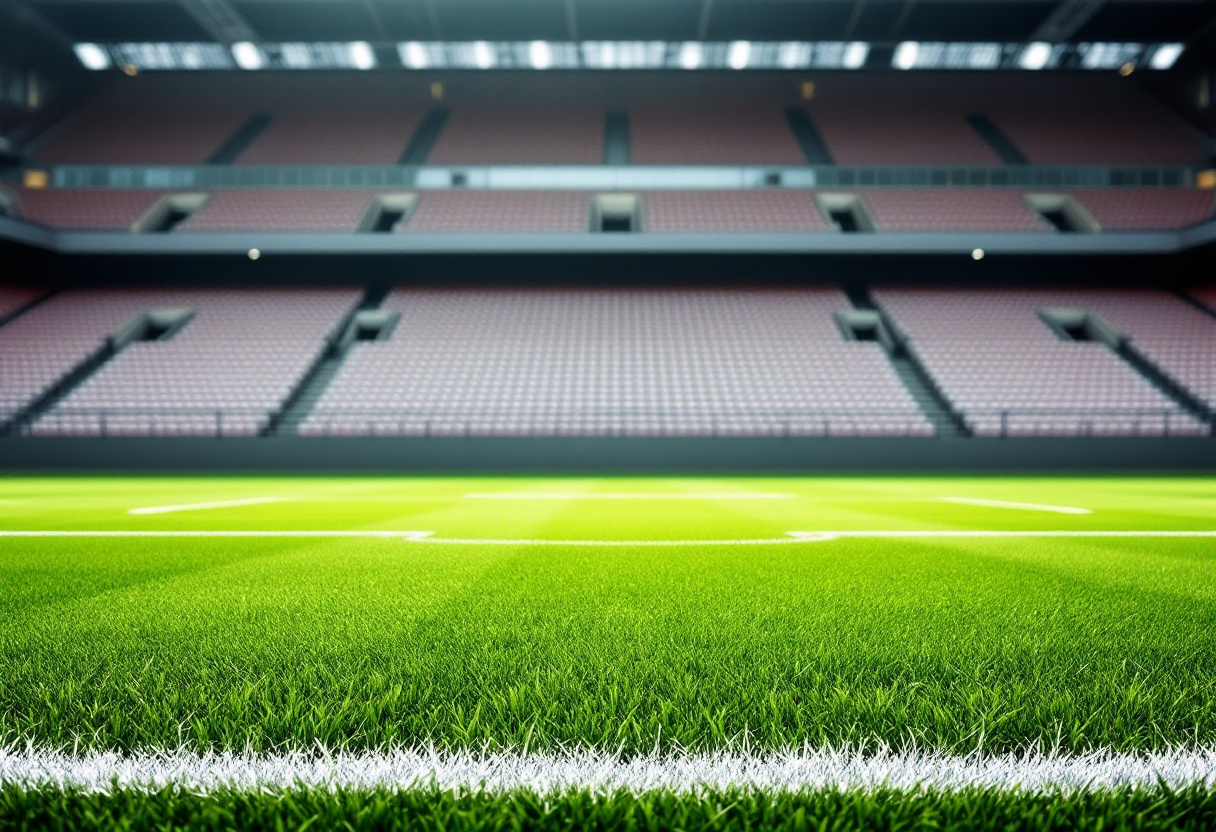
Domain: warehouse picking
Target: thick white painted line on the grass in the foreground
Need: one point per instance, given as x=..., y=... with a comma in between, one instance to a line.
x=603, y=772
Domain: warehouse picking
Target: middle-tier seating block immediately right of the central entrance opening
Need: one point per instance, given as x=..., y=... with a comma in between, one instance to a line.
x=731, y=211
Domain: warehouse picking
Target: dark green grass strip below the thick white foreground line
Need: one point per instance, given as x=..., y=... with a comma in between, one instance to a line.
x=733, y=811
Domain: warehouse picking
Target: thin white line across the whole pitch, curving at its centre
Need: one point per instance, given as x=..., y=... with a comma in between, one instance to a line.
x=792, y=537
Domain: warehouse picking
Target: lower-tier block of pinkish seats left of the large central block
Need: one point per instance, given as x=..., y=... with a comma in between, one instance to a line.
x=233, y=366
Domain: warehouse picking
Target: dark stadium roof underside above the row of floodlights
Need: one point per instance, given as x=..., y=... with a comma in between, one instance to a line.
x=386, y=21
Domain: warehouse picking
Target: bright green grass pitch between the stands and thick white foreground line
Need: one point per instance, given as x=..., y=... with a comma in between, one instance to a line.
x=530, y=620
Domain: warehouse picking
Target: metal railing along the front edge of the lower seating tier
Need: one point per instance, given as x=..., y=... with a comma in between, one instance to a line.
x=227, y=423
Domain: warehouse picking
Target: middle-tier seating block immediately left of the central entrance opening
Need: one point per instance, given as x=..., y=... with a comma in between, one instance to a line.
x=502, y=211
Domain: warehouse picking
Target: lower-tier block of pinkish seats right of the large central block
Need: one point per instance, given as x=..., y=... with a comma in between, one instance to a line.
x=1009, y=374
